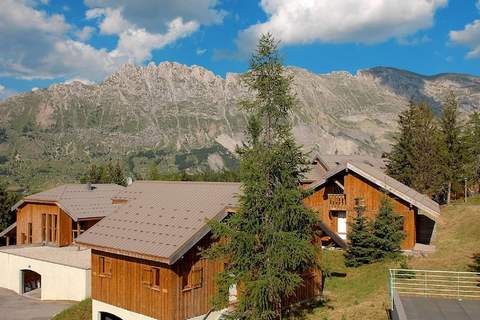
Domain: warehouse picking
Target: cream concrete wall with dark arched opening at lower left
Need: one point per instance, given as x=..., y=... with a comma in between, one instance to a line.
x=59, y=282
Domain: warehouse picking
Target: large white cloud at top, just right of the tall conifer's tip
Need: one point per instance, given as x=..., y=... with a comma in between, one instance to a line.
x=359, y=21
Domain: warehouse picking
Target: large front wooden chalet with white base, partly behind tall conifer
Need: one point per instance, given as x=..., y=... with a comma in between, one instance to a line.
x=145, y=255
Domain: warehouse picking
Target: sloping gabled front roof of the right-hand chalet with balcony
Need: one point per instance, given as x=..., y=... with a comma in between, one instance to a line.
x=389, y=184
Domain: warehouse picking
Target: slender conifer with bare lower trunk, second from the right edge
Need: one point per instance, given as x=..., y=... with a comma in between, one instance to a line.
x=452, y=144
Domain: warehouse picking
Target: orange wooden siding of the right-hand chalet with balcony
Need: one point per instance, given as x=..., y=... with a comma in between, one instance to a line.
x=358, y=187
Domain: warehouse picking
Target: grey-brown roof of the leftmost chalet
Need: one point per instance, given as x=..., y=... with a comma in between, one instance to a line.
x=77, y=200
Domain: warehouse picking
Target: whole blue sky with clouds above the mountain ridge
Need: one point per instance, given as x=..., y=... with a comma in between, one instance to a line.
x=52, y=41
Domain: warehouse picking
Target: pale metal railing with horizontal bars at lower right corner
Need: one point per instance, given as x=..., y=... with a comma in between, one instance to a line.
x=430, y=283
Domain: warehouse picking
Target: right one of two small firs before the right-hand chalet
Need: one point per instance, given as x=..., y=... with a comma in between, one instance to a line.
x=387, y=230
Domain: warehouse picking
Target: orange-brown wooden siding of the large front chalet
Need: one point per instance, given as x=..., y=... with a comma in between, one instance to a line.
x=124, y=287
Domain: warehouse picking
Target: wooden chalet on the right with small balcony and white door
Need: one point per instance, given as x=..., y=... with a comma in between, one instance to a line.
x=340, y=183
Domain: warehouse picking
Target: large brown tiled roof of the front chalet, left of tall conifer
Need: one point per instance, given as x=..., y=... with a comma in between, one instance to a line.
x=162, y=219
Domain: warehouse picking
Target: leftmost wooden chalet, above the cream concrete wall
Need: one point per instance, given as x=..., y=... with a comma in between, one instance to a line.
x=57, y=216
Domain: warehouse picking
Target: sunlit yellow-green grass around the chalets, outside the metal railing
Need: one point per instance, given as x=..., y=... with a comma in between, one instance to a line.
x=361, y=293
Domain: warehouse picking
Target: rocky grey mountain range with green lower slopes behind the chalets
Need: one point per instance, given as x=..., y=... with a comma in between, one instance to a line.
x=187, y=117
